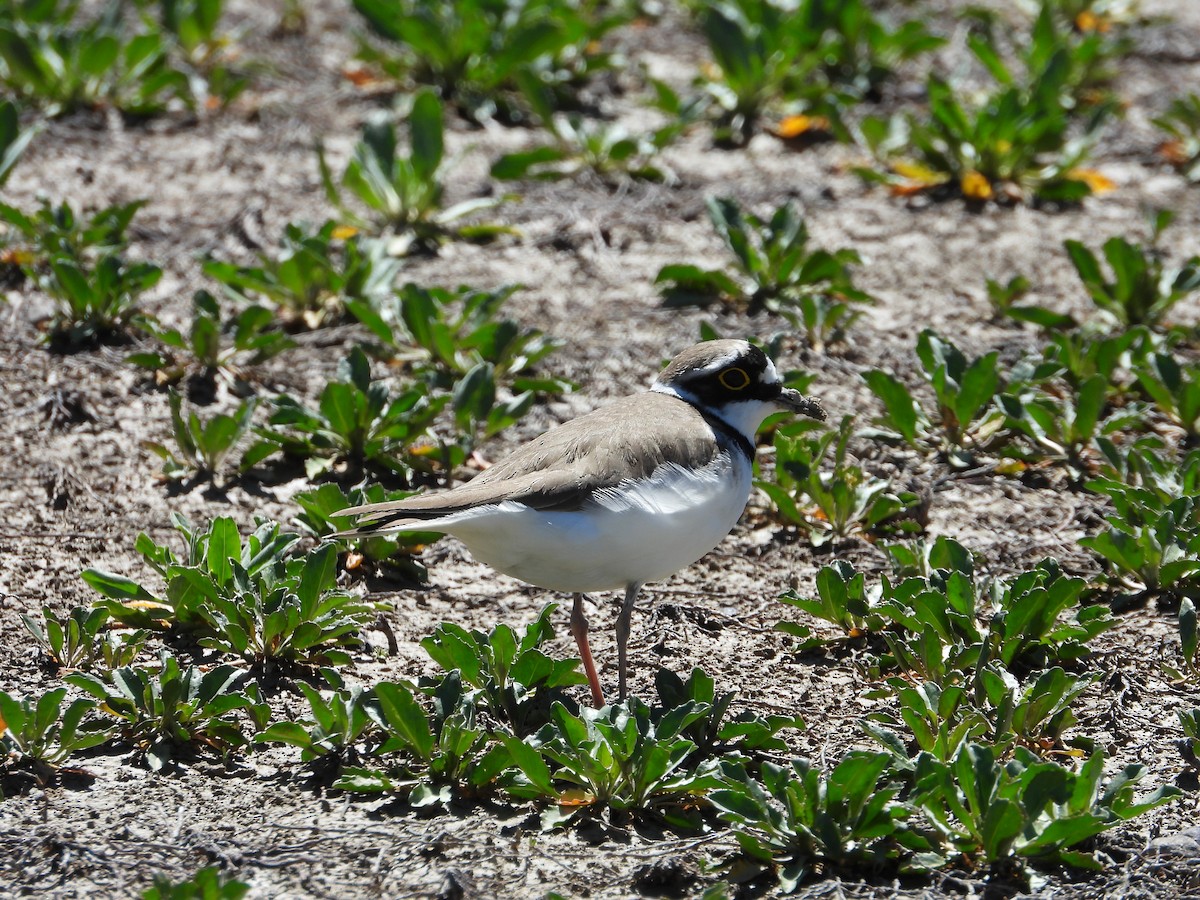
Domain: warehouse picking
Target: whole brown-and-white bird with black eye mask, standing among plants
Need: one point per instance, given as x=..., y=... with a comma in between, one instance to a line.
x=626, y=495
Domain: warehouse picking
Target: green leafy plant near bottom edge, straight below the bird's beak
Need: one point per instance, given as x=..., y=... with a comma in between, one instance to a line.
x=796, y=817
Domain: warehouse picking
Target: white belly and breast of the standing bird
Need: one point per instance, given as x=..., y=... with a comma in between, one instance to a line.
x=639, y=536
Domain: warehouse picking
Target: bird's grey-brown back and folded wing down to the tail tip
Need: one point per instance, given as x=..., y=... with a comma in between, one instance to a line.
x=566, y=466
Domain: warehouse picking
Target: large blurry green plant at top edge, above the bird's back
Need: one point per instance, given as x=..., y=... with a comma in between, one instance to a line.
x=478, y=53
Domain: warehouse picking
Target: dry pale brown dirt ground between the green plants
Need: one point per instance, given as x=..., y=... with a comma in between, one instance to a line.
x=76, y=489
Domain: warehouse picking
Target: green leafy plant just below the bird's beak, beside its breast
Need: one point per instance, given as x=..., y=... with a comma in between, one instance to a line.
x=843, y=501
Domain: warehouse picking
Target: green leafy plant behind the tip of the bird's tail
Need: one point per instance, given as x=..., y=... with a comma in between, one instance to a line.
x=392, y=553
